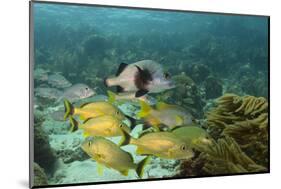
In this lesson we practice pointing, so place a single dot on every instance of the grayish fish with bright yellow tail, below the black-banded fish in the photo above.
(165, 114)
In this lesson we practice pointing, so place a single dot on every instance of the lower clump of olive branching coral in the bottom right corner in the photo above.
(225, 157)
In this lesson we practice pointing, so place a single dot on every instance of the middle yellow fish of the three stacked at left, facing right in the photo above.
(105, 126)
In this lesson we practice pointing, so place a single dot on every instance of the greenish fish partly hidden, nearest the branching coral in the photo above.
(192, 135)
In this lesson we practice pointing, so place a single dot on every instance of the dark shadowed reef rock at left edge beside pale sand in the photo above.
(43, 153)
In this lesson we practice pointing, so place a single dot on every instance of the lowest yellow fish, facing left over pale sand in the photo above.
(107, 153)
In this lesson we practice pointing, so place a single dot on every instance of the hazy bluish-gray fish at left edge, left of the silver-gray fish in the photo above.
(48, 93)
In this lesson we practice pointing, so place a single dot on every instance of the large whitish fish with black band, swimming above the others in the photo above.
(142, 77)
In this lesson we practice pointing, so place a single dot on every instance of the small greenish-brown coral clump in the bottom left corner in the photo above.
(40, 177)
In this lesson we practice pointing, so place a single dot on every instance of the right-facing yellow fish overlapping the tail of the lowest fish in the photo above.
(165, 145)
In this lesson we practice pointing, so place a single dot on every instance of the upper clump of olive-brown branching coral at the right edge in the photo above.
(246, 113)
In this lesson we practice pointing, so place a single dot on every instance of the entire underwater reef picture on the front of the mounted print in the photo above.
(129, 94)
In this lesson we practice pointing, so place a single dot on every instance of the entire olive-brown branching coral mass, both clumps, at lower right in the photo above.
(239, 126)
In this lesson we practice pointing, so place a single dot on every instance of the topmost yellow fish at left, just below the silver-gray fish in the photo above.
(93, 109)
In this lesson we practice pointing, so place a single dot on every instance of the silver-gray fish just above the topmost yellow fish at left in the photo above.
(77, 92)
